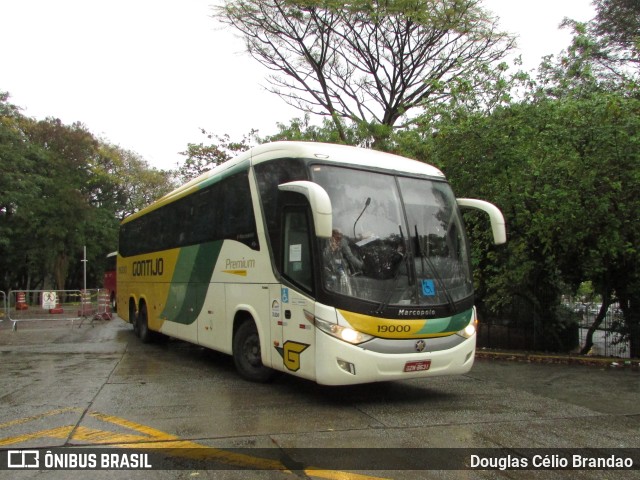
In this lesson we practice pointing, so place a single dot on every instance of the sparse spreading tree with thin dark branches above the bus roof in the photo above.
(369, 61)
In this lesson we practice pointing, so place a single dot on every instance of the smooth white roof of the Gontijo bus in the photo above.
(343, 154)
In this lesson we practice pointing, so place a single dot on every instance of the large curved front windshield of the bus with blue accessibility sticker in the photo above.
(396, 240)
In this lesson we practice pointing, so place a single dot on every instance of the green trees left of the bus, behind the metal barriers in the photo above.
(62, 188)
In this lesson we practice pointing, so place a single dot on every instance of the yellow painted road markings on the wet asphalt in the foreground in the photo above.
(152, 438)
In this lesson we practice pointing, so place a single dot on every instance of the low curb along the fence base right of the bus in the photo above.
(526, 357)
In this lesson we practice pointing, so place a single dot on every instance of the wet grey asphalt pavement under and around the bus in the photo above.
(65, 385)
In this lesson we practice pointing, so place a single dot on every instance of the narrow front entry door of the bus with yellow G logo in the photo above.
(297, 344)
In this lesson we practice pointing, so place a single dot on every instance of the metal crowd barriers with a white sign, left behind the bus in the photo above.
(48, 305)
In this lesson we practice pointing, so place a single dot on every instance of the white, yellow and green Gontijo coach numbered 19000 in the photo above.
(338, 264)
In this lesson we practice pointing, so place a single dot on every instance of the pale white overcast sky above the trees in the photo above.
(147, 75)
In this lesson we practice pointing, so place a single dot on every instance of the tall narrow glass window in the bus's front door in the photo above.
(297, 248)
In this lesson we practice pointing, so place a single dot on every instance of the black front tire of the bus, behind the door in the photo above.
(247, 355)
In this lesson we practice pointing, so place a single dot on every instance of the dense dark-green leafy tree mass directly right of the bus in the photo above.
(565, 174)
